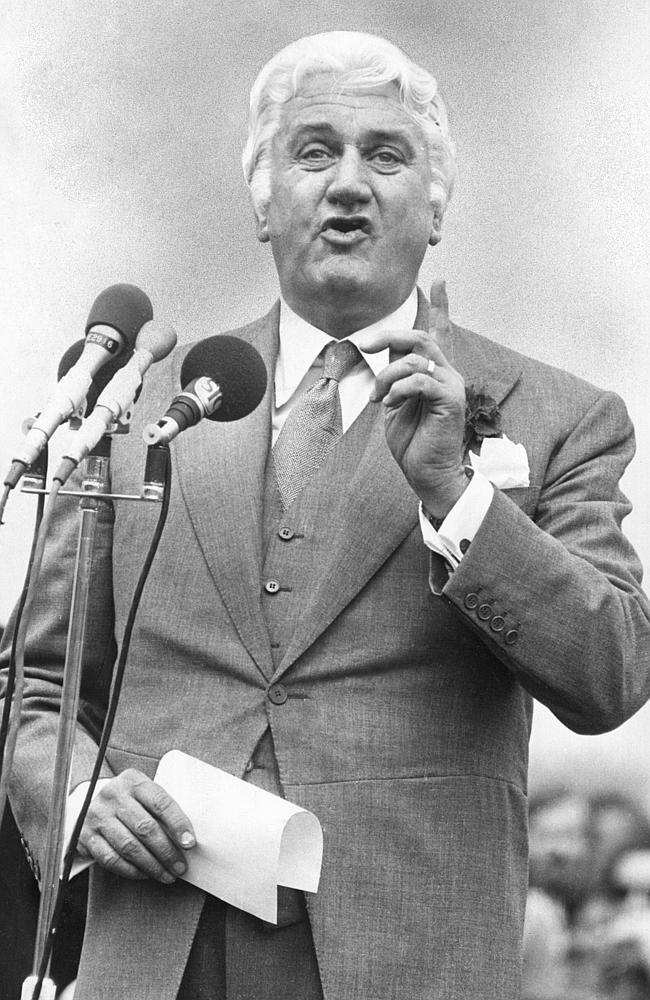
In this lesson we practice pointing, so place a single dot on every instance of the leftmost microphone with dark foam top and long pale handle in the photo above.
(115, 318)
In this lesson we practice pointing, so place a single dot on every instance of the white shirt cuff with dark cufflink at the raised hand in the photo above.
(456, 532)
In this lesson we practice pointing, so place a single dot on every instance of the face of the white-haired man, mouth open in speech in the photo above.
(350, 214)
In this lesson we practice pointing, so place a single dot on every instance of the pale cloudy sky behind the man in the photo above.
(121, 127)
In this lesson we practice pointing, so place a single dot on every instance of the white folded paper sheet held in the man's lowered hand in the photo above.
(248, 840)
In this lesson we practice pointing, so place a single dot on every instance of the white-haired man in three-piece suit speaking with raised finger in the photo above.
(361, 627)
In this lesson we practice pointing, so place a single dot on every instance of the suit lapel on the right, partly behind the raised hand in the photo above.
(378, 508)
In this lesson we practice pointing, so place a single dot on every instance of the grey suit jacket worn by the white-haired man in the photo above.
(408, 713)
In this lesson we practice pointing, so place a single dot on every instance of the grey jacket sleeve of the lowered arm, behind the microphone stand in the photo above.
(31, 779)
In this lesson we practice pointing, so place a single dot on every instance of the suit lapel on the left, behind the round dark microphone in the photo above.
(221, 475)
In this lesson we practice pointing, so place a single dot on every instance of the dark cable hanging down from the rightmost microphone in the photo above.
(111, 711)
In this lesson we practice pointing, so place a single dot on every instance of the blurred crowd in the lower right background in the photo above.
(587, 930)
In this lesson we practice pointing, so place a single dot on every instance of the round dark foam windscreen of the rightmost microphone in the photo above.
(236, 366)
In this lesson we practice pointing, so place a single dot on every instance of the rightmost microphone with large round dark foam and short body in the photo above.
(224, 379)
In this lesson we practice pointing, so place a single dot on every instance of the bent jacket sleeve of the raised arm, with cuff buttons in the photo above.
(559, 599)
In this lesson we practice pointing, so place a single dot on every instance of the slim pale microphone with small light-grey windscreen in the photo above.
(153, 343)
